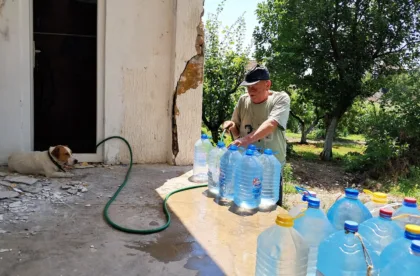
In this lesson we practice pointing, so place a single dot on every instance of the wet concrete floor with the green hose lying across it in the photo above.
(72, 238)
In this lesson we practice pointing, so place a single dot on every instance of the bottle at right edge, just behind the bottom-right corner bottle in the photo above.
(399, 246)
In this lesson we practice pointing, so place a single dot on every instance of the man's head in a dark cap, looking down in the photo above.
(258, 83)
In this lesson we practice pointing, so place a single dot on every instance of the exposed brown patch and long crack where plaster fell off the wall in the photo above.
(191, 77)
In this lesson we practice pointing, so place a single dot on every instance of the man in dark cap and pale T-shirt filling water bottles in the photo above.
(260, 117)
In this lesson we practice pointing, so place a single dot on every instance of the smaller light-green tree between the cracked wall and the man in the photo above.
(224, 69)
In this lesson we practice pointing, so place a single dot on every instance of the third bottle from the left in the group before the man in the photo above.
(228, 161)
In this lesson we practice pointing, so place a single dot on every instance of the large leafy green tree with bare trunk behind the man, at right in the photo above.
(336, 50)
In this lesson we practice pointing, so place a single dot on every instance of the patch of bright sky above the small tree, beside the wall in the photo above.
(232, 10)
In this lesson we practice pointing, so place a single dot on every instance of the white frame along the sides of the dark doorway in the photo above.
(100, 80)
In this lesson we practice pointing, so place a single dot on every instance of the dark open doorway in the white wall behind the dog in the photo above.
(65, 35)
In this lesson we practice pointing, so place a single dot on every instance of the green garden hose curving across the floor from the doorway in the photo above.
(165, 208)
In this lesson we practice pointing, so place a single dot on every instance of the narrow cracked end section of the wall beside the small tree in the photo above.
(187, 97)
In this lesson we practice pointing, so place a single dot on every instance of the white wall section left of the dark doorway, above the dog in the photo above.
(15, 78)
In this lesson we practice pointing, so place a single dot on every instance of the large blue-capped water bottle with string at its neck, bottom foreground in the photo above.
(344, 253)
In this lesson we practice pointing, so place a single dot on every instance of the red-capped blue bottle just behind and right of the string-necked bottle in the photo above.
(380, 231)
